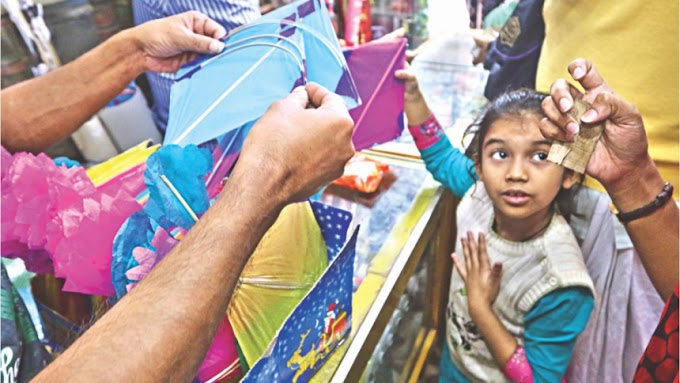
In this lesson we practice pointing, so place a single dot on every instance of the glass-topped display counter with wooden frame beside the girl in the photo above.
(399, 308)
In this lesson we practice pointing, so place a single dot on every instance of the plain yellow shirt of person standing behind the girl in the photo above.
(634, 46)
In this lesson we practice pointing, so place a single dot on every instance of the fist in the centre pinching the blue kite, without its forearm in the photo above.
(300, 144)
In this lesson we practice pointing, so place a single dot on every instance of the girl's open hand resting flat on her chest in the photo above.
(482, 282)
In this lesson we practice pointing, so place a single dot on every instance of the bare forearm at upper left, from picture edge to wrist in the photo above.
(45, 110)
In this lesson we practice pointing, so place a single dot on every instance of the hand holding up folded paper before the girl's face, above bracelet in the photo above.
(623, 146)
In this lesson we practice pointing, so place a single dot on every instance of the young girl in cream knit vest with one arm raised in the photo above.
(520, 293)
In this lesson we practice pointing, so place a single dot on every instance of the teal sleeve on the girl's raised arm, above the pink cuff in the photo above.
(449, 166)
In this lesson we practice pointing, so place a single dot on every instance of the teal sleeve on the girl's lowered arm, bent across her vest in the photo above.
(551, 328)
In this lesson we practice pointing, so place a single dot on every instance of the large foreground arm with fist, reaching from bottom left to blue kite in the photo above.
(161, 330)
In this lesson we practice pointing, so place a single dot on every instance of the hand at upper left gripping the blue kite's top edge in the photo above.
(171, 42)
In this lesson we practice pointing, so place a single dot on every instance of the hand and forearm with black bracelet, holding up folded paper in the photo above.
(621, 162)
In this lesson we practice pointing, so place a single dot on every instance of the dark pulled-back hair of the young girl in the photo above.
(515, 103)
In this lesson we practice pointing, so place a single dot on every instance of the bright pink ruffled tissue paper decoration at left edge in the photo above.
(55, 215)
